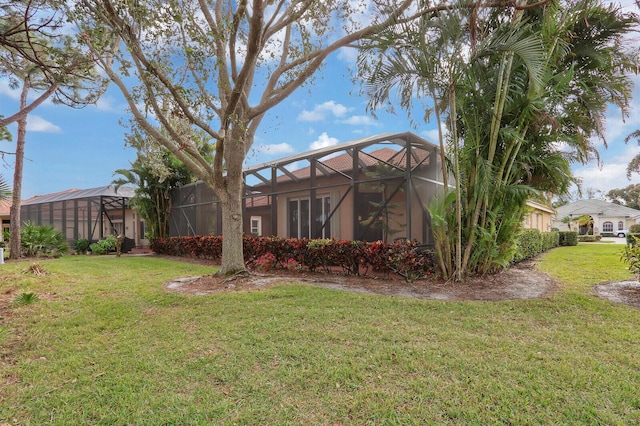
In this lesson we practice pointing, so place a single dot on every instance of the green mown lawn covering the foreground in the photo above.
(107, 345)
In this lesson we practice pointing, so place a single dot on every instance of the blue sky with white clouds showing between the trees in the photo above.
(69, 148)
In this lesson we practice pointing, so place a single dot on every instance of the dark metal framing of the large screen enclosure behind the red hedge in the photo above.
(262, 183)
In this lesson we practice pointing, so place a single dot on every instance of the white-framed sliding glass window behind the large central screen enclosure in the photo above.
(299, 219)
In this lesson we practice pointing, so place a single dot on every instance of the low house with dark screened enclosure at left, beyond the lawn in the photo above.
(88, 213)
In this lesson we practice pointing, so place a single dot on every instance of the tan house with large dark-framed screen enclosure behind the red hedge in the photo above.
(374, 188)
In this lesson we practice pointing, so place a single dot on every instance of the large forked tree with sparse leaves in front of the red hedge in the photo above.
(220, 66)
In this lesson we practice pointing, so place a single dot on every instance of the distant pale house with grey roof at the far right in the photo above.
(605, 217)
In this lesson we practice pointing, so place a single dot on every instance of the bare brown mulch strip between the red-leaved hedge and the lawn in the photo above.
(521, 281)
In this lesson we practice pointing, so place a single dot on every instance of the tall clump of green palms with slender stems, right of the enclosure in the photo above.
(523, 84)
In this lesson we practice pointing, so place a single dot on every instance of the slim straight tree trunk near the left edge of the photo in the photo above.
(15, 245)
